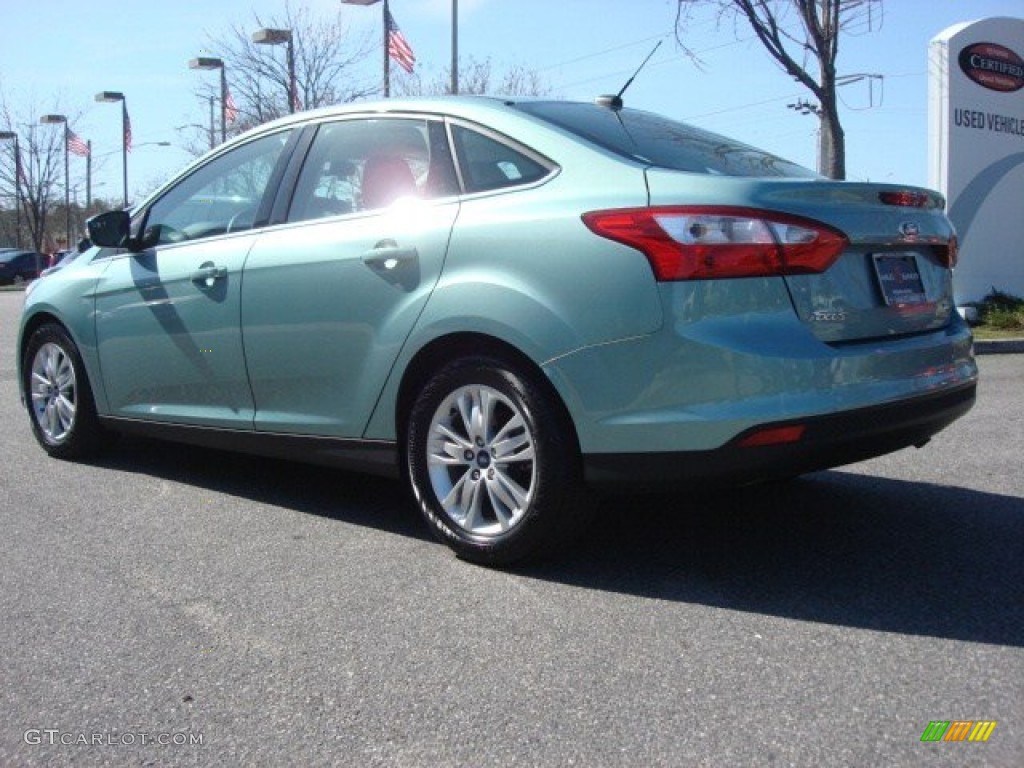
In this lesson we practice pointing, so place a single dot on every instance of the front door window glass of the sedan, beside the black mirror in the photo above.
(222, 197)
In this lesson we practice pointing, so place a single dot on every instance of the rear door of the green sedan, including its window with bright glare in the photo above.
(329, 298)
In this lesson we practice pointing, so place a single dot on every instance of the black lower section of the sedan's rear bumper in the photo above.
(827, 442)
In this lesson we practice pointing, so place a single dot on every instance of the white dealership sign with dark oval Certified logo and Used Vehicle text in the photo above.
(976, 155)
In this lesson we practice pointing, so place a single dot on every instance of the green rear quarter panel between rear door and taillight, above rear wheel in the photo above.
(523, 268)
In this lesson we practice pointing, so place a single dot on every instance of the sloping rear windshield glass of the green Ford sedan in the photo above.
(659, 142)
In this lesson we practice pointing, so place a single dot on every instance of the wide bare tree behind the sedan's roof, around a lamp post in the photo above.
(327, 61)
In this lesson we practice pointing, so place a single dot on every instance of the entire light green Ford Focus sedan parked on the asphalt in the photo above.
(507, 305)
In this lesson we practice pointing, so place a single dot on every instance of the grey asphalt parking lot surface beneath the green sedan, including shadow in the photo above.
(283, 615)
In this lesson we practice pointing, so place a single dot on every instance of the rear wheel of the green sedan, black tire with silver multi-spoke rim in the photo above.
(528, 423)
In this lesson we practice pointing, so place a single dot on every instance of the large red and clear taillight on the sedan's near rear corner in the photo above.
(707, 243)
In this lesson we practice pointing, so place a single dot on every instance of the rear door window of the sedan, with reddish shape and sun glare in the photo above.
(368, 164)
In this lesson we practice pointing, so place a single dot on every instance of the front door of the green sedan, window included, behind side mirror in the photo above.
(167, 318)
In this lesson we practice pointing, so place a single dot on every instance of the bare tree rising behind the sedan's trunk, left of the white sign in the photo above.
(800, 35)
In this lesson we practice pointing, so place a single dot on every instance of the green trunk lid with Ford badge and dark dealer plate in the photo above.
(892, 280)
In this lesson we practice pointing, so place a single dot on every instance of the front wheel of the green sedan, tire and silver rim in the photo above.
(62, 410)
